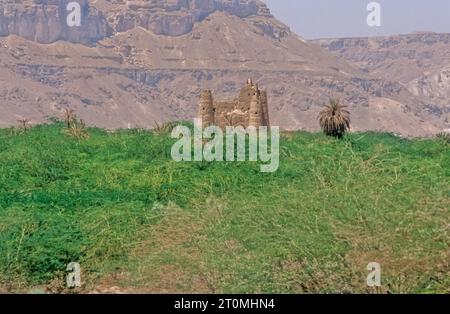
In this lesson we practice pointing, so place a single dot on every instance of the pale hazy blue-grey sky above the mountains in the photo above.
(348, 18)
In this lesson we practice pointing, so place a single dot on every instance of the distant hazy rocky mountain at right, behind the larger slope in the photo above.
(420, 62)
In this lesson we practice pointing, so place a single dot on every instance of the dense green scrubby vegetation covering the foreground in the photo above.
(137, 221)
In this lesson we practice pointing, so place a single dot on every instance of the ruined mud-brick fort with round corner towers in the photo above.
(249, 109)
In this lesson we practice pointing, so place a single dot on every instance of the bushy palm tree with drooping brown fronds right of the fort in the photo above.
(335, 119)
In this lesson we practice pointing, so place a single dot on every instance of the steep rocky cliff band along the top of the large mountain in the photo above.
(44, 21)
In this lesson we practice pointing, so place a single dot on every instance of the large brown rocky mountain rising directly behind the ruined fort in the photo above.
(137, 62)
